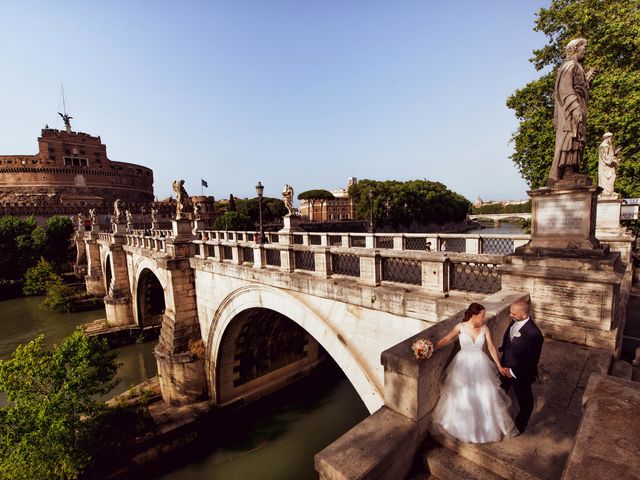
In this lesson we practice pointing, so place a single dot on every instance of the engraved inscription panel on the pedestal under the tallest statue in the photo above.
(560, 216)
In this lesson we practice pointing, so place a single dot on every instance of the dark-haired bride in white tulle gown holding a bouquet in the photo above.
(472, 407)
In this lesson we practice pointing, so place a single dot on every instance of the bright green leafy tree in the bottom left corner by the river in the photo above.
(52, 420)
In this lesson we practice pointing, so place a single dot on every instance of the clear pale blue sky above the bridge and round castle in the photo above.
(302, 92)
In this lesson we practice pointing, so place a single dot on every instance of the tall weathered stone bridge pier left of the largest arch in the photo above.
(180, 350)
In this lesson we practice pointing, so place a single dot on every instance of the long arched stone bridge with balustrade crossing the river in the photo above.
(239, 319)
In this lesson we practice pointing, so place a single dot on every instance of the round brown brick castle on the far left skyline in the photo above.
(70, 174)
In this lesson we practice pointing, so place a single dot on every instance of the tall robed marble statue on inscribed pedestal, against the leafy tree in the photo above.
(570, 95)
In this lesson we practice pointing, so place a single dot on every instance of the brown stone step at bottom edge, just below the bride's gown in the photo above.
(443, 464)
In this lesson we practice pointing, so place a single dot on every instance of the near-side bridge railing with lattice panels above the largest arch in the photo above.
(317, 254)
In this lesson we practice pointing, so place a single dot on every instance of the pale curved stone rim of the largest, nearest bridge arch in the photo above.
(249, 298)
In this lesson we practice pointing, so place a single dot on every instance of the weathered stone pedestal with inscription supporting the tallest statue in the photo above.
(573, 281)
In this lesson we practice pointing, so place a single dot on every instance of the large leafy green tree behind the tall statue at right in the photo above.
(613, 31)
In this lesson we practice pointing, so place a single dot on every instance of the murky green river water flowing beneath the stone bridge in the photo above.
(274, 439)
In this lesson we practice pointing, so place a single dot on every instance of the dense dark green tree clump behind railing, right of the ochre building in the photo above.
(398, 203)
